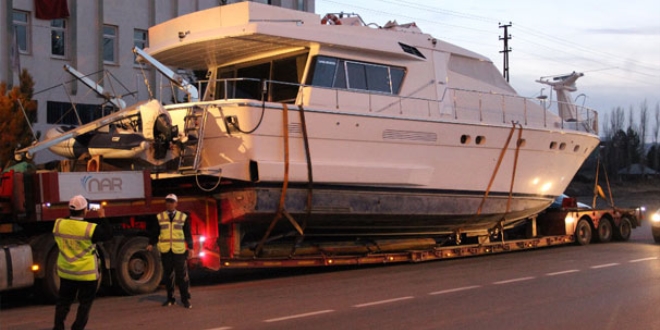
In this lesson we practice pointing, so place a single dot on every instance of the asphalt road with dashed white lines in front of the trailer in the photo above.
(600, 286)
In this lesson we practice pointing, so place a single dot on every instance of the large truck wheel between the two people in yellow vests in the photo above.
(138, 270)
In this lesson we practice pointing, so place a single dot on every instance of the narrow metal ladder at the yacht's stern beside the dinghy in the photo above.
(192, 142)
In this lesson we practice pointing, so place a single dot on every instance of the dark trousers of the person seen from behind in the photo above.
(86, 292)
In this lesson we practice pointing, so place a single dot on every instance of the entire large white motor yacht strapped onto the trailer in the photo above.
(359, 130)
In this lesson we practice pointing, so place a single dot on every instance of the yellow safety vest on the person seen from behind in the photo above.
(77, 258)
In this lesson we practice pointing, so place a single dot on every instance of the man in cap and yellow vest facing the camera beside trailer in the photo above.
(174, 240)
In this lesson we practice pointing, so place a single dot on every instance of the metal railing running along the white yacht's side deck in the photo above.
(455, 104)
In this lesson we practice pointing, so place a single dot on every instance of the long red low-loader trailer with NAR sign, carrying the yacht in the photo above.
(30, 203)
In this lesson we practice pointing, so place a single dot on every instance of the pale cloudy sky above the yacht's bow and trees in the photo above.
(616, 44)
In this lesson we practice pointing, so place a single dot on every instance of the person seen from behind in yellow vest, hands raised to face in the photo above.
(77, 264)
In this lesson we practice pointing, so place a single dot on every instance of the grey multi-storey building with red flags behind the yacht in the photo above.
(96, 38)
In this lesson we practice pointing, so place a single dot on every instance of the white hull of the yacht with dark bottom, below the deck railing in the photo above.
(393, 174)
